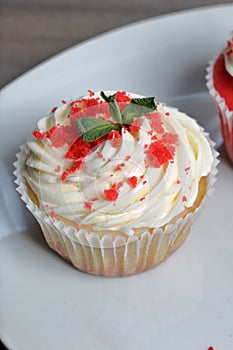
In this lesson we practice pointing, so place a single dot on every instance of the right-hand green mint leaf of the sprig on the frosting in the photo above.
(137, 108)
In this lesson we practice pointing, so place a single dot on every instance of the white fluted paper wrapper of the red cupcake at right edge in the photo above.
(225, 115)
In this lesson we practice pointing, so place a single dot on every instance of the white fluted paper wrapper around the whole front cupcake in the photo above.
(107, 256)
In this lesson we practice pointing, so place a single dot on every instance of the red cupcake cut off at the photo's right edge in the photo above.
(220, 84)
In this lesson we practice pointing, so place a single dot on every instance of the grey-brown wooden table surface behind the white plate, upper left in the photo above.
(34, 30)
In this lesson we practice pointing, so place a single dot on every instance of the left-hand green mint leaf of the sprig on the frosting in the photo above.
(92, 129)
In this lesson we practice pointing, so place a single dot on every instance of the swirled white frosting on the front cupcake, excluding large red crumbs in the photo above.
(161, 192)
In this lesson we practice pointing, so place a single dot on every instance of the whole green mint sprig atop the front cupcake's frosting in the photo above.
(92, 129)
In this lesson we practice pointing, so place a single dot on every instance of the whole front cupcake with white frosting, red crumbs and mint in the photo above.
(115, 180)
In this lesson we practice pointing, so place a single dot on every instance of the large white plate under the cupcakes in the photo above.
(186, 302)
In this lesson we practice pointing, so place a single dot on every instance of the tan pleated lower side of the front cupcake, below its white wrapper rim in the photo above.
(130, 258)
